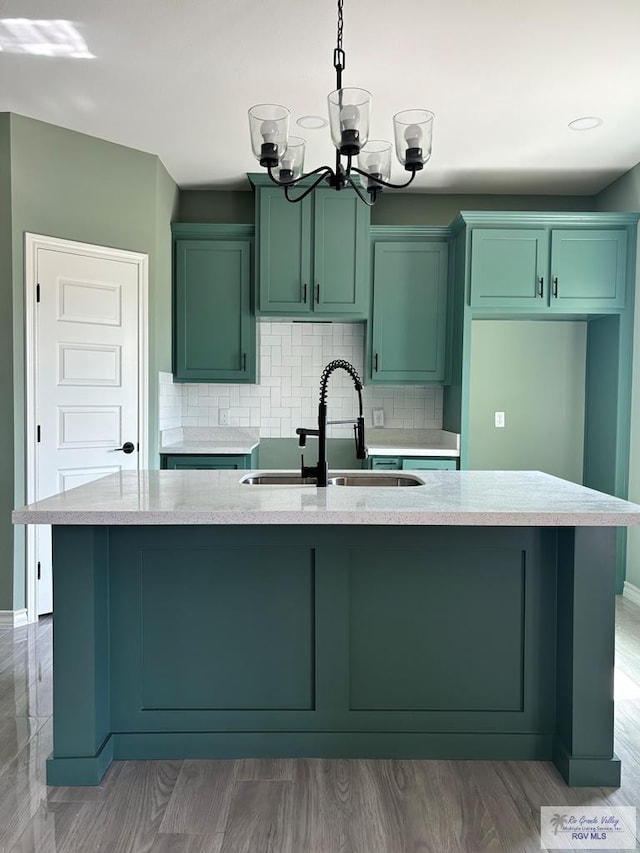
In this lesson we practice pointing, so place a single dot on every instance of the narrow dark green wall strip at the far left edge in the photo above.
(6, 371)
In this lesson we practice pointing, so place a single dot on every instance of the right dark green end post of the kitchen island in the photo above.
(583, 750)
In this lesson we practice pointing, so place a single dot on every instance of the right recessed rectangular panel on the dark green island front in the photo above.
(407, 653)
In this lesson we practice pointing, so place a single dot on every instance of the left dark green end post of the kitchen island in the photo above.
(81, 690)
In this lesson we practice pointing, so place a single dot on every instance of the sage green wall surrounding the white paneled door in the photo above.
(69, 185)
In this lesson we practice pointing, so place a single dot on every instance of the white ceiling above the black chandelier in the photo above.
(504, 78)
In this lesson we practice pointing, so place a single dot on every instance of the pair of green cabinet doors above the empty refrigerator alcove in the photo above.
(564, 270)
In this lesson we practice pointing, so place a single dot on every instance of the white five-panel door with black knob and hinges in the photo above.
(87, 378)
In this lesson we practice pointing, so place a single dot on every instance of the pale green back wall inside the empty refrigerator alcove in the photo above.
(534, 372)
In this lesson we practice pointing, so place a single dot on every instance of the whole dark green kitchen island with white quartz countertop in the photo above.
(468, 617)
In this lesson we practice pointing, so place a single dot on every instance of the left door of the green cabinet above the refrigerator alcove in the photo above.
(509, 268)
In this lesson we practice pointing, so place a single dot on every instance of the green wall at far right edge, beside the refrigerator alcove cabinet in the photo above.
(624, 195)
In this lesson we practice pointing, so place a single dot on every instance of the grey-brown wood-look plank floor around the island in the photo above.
(293, 806)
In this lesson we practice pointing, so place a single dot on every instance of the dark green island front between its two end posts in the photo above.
(462, 613)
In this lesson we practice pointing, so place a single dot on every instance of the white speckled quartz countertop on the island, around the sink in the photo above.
(509, 498)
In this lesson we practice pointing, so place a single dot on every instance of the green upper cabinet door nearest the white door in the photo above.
(214, 330)
